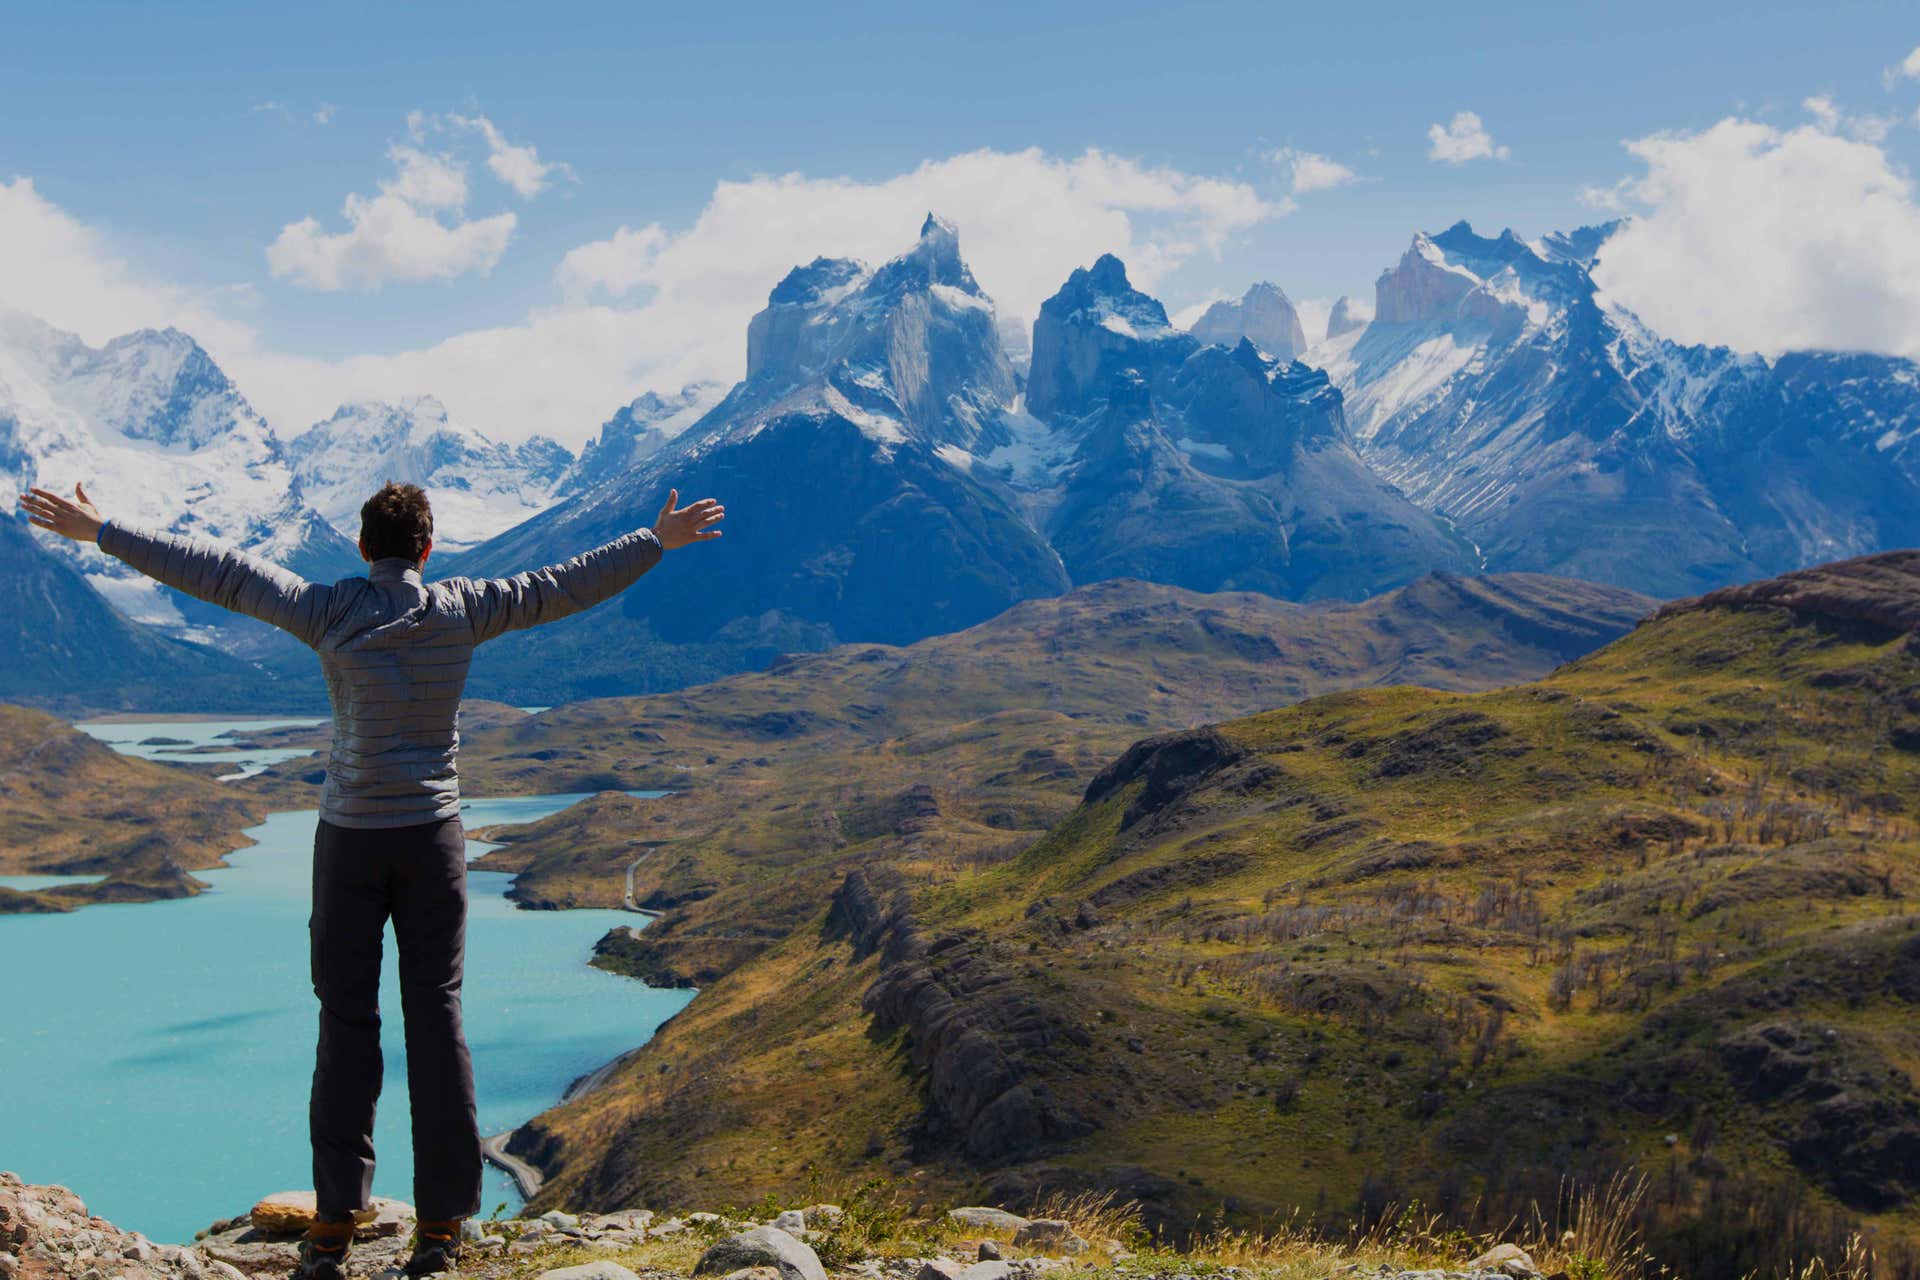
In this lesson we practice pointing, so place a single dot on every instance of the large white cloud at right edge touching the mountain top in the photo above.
(1769, 241)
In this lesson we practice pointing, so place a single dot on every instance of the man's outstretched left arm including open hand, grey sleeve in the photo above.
(206, 571)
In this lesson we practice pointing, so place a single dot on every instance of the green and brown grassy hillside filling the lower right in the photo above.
(1393, 943)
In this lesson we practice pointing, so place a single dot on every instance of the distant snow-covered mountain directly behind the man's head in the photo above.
(477, 486)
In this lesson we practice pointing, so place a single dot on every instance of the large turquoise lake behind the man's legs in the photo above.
(156, 1056)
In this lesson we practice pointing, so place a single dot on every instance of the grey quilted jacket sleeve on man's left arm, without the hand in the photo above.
(224, 577)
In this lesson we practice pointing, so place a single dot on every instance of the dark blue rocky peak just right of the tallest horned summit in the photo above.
(1211, 467)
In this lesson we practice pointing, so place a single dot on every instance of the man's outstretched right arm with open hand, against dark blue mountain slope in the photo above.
(500, 605)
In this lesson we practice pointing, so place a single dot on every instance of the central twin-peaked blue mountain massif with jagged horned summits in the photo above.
(896, 483)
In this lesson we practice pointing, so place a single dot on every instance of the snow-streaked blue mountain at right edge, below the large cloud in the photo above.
(1562, 435)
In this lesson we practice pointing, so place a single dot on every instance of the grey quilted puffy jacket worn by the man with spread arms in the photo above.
(395, 652)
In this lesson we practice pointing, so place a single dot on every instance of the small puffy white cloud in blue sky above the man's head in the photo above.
(396, 235)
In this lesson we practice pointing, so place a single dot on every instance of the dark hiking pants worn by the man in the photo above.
(416, 876)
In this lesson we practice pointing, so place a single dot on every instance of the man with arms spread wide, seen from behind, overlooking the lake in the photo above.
(395, 652)
